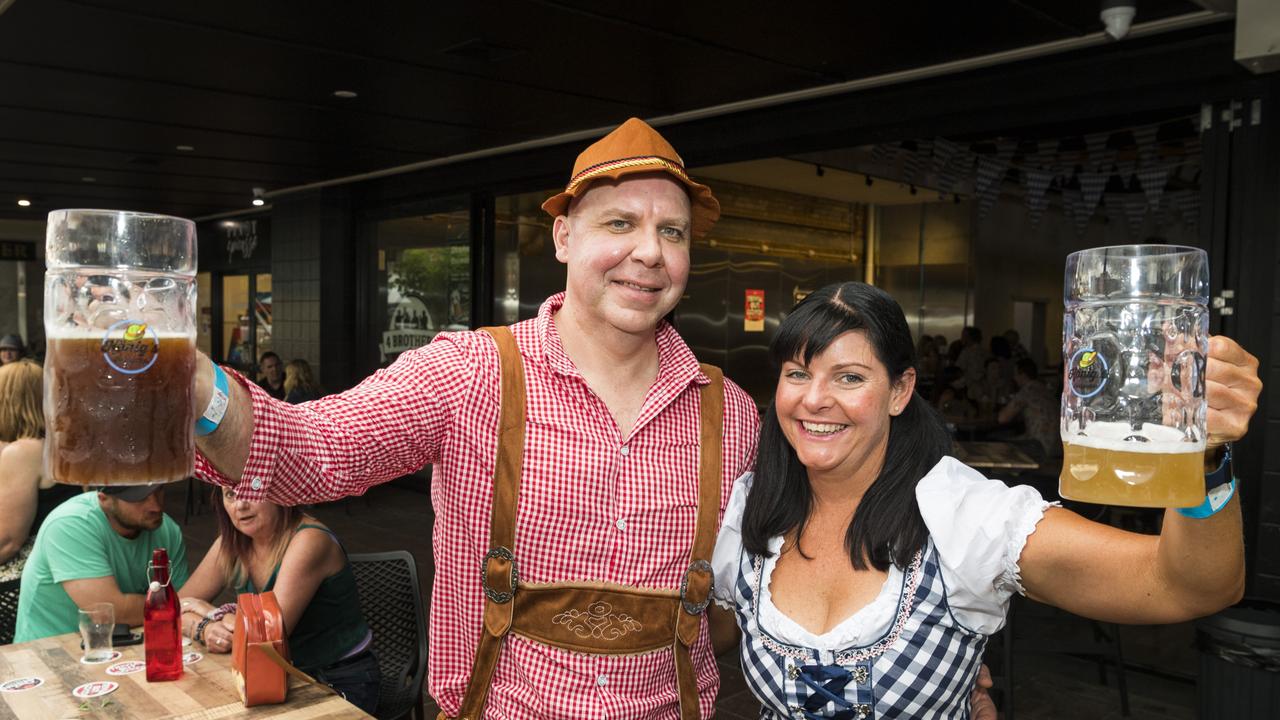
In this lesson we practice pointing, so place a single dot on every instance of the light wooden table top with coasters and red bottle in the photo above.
(205, 691)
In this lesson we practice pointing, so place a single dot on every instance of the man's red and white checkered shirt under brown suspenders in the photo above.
(593, 505)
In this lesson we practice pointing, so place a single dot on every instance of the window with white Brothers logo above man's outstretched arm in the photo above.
(424, 274)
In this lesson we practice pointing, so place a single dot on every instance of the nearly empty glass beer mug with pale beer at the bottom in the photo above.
(1135, 343)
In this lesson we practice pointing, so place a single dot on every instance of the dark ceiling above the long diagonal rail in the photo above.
(109, 89)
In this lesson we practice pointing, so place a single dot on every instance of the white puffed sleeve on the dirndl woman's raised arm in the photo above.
(980, 528)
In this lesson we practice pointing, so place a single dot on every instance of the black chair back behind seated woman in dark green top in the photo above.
(392, 604)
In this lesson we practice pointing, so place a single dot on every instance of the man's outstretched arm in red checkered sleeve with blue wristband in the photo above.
(388, 426)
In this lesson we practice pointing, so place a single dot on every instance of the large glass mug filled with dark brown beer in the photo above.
(120, 373)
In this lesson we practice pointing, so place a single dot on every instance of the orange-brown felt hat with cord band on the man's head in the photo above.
(636, 148)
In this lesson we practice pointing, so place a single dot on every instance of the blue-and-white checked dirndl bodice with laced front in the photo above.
(924, 667)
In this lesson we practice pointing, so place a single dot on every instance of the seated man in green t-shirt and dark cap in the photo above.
(95, 548)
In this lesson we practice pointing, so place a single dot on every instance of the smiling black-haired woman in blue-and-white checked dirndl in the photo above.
(866, 567)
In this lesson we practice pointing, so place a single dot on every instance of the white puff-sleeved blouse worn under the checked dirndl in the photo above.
(979, 527)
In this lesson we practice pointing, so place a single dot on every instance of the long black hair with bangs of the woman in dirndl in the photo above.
(888, 527)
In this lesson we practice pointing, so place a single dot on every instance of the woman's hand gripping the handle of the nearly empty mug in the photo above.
(1232, 389)
